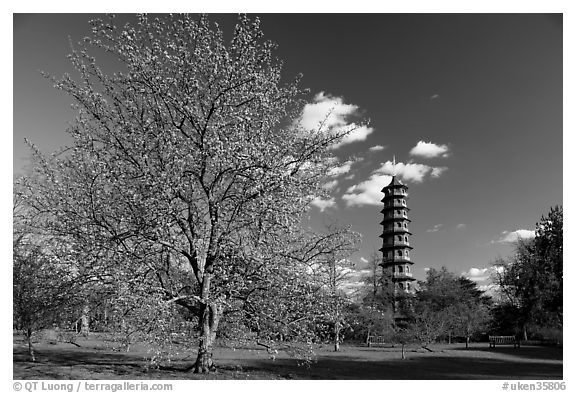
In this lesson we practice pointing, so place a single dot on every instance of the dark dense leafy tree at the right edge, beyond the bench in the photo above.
(531, 281)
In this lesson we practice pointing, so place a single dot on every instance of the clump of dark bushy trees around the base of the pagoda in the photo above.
(445, 306)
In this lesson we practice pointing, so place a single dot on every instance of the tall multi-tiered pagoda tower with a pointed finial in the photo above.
(396, 239)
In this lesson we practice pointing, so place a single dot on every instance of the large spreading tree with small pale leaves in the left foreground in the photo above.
(193, 148)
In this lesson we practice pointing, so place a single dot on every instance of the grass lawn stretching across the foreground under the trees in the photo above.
(94, 361)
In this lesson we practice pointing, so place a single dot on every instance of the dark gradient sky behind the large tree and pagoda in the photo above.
(486, 87)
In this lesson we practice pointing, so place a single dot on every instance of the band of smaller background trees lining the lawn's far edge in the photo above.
(314, 308)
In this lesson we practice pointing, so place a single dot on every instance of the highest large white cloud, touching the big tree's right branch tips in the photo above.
(330, 114)
